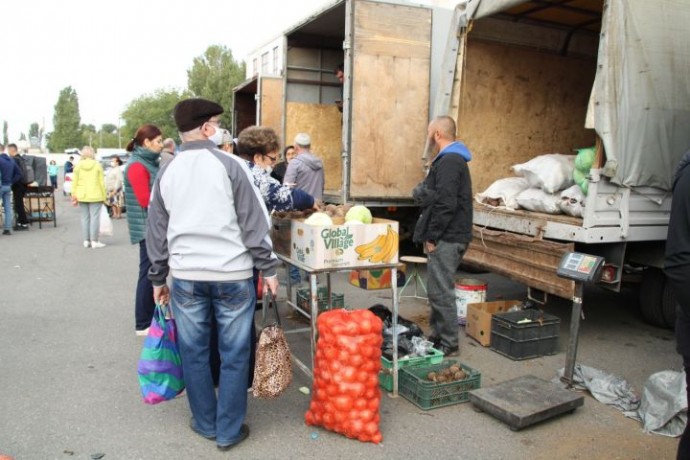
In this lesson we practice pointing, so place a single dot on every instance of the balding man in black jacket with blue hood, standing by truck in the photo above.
(444, 227)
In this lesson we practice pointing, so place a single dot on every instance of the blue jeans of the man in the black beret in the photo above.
(232, 303)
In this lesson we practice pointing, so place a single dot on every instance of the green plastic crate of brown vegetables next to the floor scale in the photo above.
(429, 395)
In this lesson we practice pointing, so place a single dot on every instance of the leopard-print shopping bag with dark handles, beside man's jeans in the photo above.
(273, 368)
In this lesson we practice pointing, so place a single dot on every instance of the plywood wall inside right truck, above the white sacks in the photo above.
(518, 103)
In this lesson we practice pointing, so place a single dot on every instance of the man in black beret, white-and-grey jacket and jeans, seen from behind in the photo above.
(208, 228)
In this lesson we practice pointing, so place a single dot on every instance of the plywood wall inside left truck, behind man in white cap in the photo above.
(323, 123)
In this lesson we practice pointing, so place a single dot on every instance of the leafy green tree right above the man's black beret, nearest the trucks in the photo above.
(214, 75)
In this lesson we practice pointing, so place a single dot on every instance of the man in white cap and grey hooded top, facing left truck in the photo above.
(306, 169)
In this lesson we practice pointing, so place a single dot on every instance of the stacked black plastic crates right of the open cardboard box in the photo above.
(516, 340)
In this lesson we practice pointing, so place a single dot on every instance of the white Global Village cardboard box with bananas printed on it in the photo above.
(345, 246)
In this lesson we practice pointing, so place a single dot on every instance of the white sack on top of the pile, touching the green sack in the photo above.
(551, 172)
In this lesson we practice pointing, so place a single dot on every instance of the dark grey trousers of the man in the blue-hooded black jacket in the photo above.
(443, 263)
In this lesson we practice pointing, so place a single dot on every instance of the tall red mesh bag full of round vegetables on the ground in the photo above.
(346, 395)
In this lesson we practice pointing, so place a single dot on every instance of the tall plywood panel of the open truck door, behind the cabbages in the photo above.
(390, 98)
